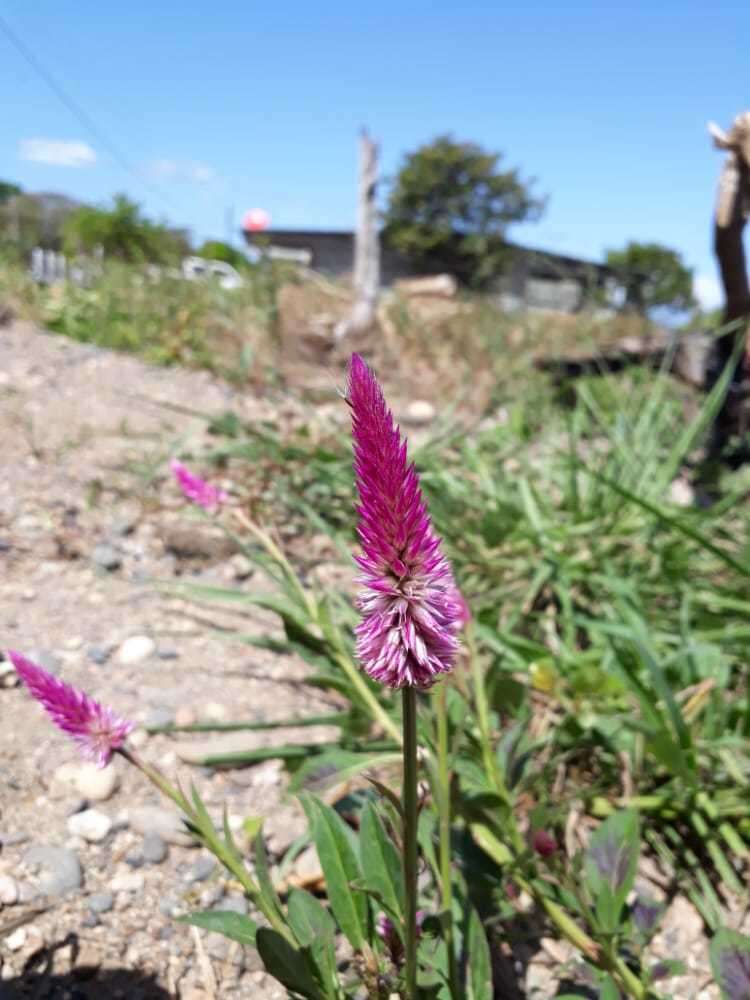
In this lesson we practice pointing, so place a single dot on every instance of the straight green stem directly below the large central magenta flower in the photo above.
(410, 840)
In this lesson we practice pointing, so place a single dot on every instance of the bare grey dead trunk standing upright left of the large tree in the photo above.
(366, 277)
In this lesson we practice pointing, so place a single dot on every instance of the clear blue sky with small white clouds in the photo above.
(242, 104)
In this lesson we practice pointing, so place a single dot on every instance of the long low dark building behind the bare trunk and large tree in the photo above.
(532, 279)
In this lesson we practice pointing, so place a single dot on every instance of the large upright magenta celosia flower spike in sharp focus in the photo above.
(411, 607)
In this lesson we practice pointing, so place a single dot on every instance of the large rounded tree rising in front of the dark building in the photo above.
(450, 205)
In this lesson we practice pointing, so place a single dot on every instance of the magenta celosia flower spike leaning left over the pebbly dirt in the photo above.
(96, 729)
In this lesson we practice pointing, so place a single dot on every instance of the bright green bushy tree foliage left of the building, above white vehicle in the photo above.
(123, 232)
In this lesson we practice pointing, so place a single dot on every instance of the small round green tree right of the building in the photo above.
(654, 277)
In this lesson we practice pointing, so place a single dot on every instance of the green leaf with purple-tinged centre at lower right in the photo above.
(611, 861)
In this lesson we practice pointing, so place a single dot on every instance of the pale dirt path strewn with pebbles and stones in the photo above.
(78, 545)
